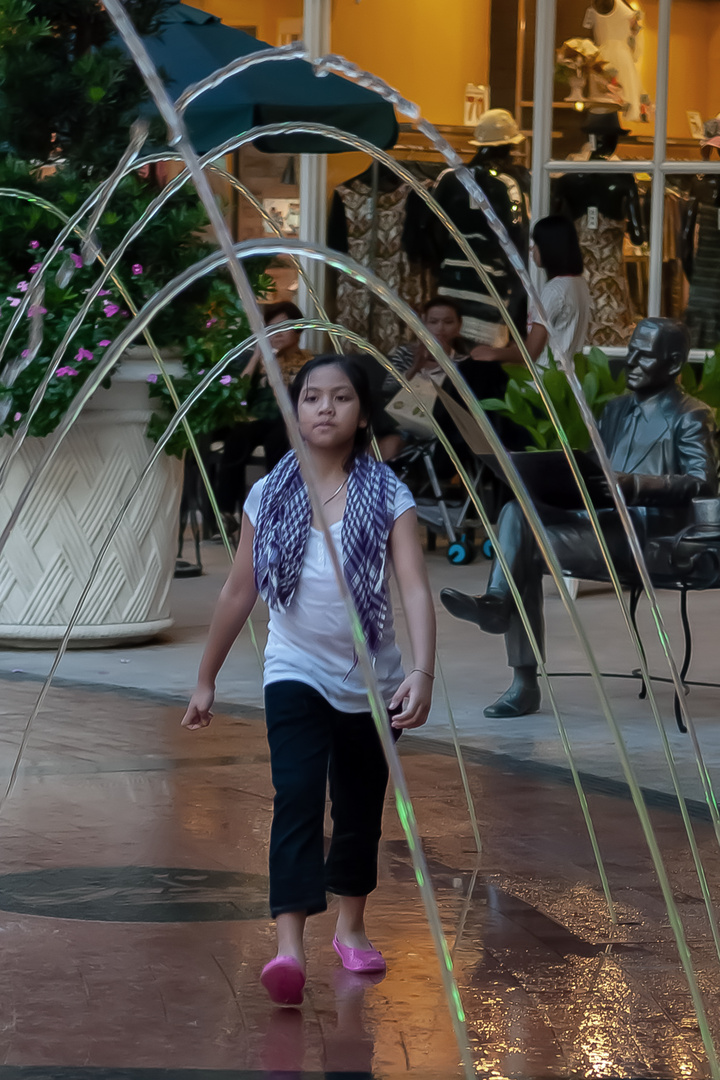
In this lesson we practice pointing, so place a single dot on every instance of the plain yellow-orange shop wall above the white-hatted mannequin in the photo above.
(428, 50)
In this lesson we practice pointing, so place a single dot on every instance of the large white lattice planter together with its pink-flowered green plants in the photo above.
(67, 99)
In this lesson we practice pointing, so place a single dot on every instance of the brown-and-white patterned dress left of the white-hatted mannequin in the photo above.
(376, 240)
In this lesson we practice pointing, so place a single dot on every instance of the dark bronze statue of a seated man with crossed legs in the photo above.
(662, 445)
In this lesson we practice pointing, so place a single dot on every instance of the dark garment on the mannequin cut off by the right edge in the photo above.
(703, 315)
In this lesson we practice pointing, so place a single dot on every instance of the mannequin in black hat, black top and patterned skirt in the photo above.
(604, 208)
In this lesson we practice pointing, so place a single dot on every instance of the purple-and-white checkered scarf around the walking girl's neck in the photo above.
(283, 526)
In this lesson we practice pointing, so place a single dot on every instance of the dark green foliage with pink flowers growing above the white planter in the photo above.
(69, 96)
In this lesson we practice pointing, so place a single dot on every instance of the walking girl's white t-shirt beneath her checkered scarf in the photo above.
(311, 641)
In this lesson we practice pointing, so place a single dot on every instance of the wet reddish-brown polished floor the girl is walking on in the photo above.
(133, 919)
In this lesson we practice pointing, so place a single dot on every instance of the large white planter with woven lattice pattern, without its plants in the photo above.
(50, 553)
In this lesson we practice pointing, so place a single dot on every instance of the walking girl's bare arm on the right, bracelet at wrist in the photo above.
(416, 692)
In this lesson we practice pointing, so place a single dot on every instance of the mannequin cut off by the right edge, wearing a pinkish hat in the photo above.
(701, 251)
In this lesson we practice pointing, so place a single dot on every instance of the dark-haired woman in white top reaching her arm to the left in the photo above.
(565, 298)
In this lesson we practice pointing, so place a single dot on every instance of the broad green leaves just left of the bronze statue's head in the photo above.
(524, 406)
